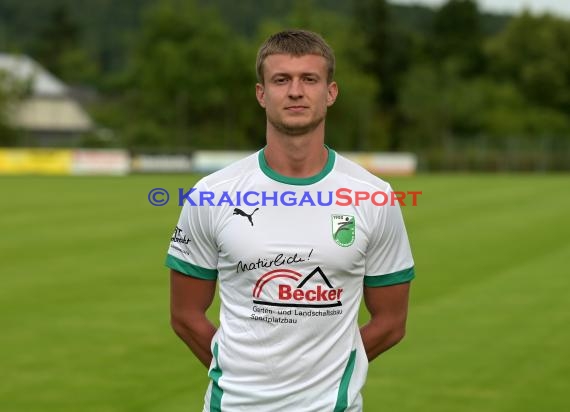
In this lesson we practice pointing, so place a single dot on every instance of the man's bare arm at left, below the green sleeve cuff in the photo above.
(190, 298)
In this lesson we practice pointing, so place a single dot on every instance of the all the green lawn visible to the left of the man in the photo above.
(86, 316)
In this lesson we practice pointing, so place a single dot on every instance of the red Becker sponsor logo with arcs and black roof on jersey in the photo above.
(284, 295)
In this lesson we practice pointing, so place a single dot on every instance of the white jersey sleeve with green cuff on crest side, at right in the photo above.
(389, 258)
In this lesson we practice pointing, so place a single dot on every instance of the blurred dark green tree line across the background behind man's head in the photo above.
(179, 74)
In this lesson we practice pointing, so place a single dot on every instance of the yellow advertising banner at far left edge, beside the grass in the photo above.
(35, 161)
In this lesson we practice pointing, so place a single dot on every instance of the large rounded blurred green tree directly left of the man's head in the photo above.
(187, 79)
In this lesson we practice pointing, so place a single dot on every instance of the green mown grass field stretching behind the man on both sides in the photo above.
(84, 298)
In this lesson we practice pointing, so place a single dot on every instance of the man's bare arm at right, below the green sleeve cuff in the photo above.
(388, 307)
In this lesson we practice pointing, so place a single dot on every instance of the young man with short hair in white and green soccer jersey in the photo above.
(292, 264)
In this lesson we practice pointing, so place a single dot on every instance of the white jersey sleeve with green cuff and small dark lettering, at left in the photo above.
(193, 250)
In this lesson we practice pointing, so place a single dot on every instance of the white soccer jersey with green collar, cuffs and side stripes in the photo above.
(291, 265)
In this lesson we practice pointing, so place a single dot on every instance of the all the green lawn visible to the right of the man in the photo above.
(486, 329)
